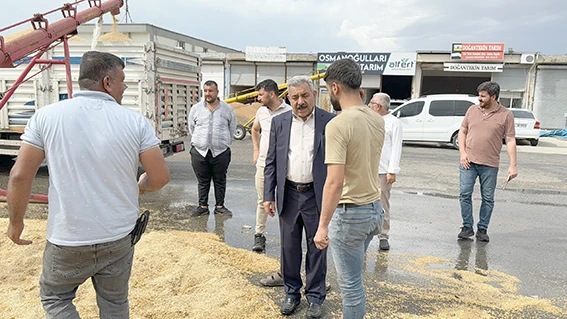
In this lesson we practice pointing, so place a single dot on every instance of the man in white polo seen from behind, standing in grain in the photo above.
(93, 146)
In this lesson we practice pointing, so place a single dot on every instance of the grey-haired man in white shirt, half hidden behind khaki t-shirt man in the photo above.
(389, 160)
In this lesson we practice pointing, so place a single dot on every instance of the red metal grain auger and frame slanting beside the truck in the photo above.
(45, 36)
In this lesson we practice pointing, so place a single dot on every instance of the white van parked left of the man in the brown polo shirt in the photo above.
(434, 118)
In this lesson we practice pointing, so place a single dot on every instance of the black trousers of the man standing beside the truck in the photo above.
(209, 167)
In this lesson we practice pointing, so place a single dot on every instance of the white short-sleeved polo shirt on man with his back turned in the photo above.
(92, 146)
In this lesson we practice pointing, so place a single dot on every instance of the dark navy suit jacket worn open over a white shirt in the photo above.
(275, 171)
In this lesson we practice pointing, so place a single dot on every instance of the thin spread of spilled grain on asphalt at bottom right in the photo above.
(450, 293)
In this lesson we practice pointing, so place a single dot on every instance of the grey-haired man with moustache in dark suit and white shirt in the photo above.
(296, 171)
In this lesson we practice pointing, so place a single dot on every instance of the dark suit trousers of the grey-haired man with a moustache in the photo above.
(299, 212)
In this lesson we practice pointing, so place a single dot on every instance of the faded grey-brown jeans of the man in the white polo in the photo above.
(65, 268)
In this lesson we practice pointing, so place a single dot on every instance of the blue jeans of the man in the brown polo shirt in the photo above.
(487, 176)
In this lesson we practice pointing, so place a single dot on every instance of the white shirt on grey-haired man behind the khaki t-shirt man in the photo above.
(392, 149)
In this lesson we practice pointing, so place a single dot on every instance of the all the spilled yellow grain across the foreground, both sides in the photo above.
(194, 275)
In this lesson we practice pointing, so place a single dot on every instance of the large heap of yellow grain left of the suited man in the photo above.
(175, 275)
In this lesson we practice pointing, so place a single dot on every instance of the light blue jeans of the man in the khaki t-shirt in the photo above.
(350, 231)
